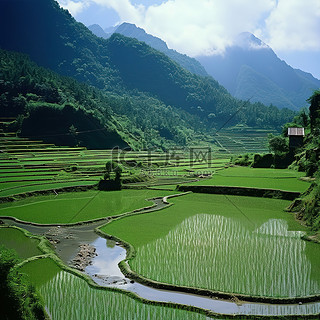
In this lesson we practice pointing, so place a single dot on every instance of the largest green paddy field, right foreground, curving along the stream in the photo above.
(224, 243)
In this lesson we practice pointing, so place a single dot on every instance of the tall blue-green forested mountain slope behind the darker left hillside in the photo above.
(151, 93)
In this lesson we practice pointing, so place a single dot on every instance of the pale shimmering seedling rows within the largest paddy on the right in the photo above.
(211, 251)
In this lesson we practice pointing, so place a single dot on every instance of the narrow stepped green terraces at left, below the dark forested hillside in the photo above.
(27, 165)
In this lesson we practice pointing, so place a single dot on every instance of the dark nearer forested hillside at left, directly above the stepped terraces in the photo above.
(64, 111)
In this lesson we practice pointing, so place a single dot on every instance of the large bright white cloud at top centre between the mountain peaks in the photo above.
(194, 27)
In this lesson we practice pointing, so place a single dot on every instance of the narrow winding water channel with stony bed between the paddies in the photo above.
(104, 271)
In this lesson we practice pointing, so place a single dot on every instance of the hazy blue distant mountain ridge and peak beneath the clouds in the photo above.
(249, 69)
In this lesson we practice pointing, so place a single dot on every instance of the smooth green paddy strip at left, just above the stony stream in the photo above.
(80, 206)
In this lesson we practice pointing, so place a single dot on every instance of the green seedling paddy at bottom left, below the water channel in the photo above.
(68, 297)
